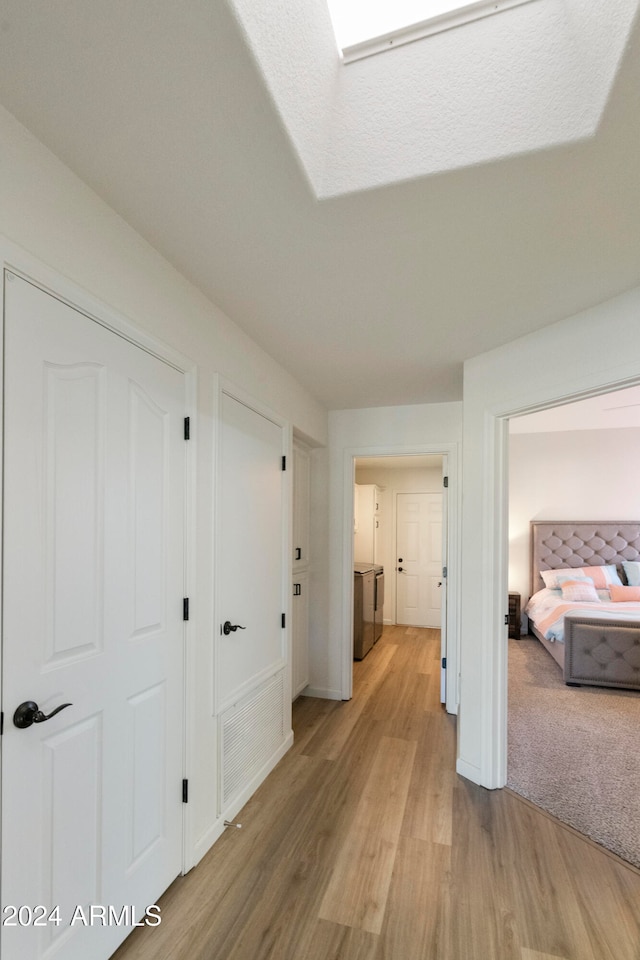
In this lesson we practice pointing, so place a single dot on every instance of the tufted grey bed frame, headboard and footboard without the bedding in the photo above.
(604, 653)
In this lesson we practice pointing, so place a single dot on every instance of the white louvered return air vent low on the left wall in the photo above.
(252, 731)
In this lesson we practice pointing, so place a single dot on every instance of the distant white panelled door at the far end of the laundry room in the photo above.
(419, 559)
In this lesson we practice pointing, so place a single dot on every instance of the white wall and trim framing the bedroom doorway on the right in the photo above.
(594, 351)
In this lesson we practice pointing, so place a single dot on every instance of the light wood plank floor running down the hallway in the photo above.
(364, 844)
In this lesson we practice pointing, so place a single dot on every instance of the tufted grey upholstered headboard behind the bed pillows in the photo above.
(581, 543)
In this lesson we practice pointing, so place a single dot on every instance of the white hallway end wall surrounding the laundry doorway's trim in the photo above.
(421, 428)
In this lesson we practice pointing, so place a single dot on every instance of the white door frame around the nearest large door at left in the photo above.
(22, 264)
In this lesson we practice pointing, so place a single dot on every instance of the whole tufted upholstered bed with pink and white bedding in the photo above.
(595, 642)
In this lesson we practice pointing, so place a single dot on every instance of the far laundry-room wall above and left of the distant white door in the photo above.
(392, 481)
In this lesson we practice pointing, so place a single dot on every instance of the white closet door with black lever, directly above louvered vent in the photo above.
(250, 550)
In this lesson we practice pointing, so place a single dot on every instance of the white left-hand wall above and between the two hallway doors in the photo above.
(50, 213)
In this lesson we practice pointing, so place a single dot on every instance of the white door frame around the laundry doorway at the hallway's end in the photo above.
(453, 506)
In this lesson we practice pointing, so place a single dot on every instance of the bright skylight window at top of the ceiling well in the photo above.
(367, 27)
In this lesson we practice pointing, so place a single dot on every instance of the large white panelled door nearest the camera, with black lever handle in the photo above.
(93, 587)
